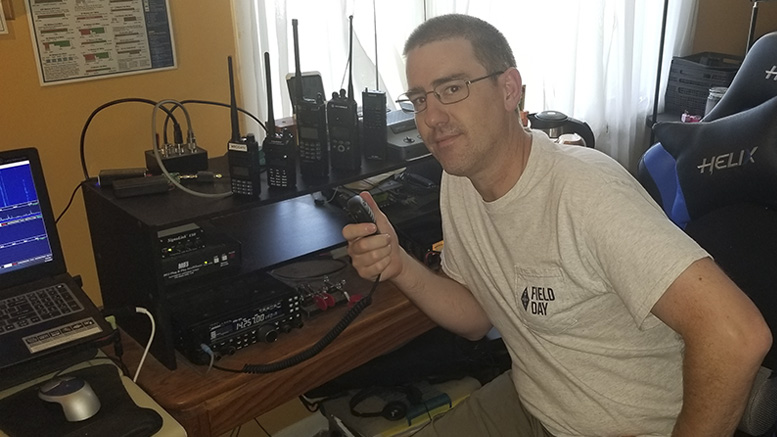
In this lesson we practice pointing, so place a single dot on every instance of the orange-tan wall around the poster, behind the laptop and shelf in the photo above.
(51, 118)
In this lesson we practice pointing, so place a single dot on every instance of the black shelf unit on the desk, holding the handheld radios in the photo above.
(278, 227)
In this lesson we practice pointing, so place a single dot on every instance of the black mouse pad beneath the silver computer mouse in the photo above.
(24, 414)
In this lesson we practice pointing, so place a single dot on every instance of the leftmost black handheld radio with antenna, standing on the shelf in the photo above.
(242, 152)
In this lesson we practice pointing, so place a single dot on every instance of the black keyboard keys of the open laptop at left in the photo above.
(36, 307)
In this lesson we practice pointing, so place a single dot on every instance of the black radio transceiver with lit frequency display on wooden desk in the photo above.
(250, 312)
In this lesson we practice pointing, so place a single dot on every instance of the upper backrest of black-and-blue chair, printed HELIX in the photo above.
(731, 156)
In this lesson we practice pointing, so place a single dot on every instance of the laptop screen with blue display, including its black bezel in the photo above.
(29, 243)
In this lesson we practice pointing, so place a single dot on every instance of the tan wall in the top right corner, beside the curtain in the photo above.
(723, 25)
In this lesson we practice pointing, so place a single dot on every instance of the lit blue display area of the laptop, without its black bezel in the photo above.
(23, 237)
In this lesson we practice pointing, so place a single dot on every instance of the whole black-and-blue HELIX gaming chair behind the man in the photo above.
(717, 180)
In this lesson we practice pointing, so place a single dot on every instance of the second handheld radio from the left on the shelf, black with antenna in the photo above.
(278, 146)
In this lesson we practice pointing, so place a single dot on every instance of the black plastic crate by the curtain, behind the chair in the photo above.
(691, 77)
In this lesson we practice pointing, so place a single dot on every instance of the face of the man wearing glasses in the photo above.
(459, 135)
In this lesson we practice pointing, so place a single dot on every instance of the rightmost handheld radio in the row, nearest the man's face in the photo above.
(374, 133)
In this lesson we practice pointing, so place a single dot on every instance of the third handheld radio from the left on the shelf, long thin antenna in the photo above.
(312, 141)
